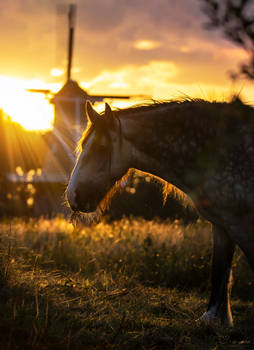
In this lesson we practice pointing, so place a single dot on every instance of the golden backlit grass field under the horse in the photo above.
(131, 284)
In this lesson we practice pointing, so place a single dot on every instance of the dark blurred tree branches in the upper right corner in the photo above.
(236, 19)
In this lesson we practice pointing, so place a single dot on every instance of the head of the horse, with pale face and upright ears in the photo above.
(101, 162)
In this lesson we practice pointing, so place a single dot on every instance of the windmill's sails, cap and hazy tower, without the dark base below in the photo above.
(70, 119)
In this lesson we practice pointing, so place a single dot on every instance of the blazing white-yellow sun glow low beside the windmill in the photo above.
(33, 111)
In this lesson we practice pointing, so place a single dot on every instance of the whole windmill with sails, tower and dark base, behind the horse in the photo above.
(70, 121)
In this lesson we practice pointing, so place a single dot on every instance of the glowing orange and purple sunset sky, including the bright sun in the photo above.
(154, 47)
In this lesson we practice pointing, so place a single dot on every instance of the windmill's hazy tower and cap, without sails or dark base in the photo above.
(70, 122)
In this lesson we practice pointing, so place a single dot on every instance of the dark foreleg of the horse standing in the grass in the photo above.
(219, 306)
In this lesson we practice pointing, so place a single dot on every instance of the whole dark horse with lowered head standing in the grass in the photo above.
(204, 149)
